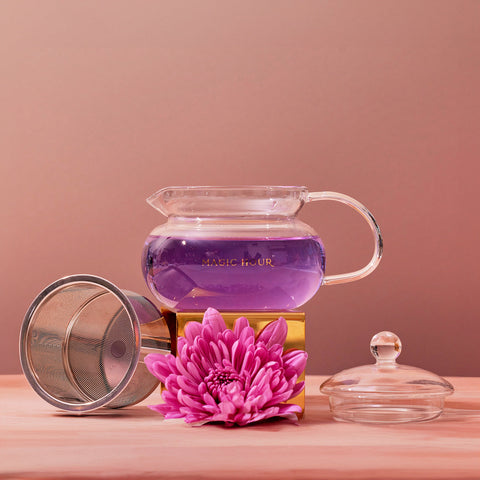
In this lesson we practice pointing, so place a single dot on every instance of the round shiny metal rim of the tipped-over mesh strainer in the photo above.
(25, 361)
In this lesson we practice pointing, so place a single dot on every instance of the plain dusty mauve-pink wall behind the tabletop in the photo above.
(103, 103)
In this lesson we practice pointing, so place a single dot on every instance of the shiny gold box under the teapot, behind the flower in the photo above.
(258, 321)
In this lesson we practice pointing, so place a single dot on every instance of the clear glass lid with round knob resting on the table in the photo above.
(386, 392)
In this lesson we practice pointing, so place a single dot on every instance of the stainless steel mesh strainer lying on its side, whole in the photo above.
(83, 341)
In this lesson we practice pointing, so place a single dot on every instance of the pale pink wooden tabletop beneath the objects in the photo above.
(38, 442)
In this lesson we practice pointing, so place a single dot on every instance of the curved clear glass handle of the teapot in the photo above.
(362, 210)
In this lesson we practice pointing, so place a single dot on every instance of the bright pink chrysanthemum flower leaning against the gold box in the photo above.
(220, 375)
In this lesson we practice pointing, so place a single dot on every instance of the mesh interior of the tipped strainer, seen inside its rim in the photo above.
(81, 343)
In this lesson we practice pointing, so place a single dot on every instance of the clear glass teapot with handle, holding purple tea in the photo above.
(241, 248)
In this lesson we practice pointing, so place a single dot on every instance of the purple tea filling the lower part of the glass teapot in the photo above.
(233, 274)
